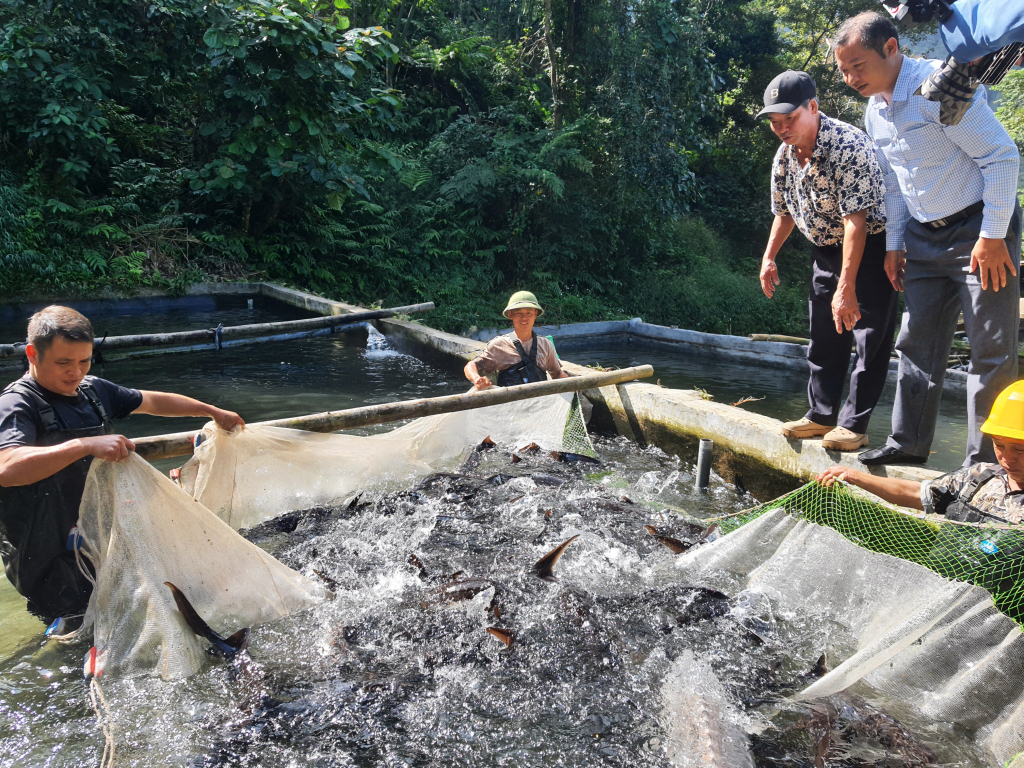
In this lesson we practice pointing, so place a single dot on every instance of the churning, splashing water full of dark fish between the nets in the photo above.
(399, 672)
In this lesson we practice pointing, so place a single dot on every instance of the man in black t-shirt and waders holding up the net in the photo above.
(54, 421)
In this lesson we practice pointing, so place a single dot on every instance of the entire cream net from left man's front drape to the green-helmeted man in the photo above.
(141, 530)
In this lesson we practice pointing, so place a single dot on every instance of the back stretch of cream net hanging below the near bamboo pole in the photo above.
(258, 474)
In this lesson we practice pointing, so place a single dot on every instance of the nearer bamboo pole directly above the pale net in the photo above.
(169, 446)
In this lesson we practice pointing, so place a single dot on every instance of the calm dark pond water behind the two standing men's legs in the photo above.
(784, 393)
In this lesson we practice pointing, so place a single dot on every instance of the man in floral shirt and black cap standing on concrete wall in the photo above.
(827, 181)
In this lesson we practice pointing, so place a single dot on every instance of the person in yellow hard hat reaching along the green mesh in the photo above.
(982, 492)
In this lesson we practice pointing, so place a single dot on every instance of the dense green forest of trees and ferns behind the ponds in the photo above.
(601, 153)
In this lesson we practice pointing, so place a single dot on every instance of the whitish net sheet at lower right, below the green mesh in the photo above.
(938, 646)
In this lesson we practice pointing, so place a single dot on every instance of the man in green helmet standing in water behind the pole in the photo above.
(522, 357)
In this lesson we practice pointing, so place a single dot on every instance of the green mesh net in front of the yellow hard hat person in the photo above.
(990, 557)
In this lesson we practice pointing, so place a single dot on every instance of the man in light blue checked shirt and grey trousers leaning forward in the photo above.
(954, 236)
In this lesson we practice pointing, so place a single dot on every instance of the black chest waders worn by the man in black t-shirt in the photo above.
(36, 520)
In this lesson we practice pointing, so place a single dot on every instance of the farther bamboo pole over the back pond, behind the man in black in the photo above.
(236, 332)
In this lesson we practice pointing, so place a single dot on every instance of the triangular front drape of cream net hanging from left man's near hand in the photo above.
(140, 531)
